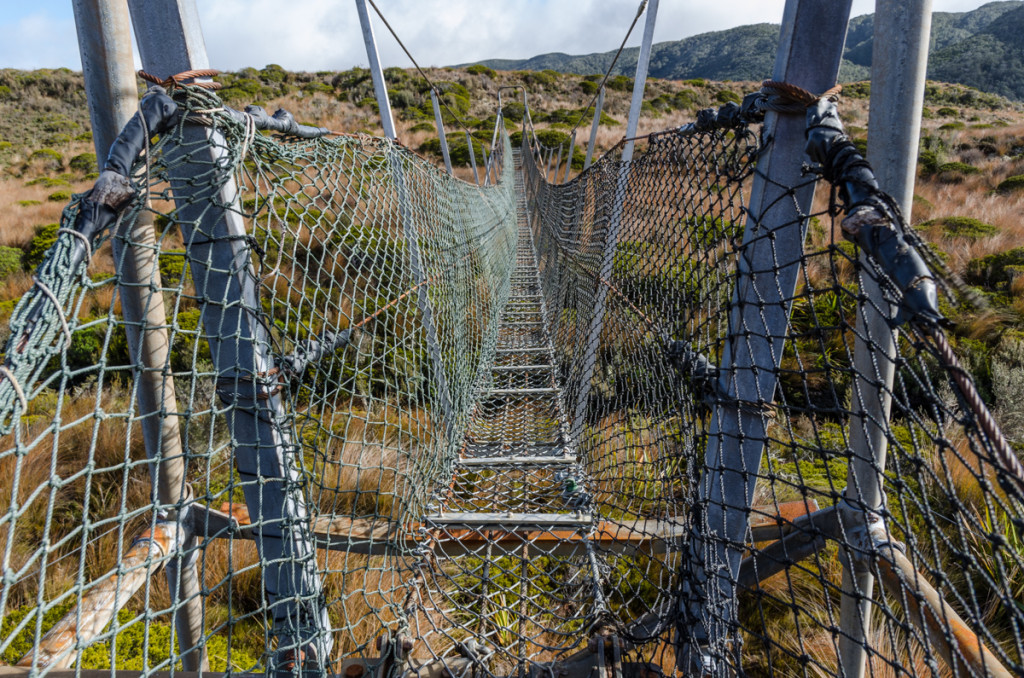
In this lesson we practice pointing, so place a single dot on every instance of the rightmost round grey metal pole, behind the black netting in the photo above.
(903, 30)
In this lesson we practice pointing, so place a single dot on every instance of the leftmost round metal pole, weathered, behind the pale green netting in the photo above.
(105, 43)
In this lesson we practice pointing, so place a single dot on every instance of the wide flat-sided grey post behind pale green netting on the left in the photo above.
(170, 41)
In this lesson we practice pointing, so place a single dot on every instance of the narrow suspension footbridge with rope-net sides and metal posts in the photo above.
(672, 416)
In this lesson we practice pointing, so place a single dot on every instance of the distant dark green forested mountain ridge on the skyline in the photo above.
(983, 49)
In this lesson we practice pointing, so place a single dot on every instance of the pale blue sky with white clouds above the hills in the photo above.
(324, 35)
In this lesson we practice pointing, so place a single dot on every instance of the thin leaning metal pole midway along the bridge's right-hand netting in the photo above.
(615, 224)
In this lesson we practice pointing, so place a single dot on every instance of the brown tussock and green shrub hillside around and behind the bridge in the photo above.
(968, 203)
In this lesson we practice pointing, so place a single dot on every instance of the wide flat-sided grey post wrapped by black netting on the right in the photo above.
(810, 52)
